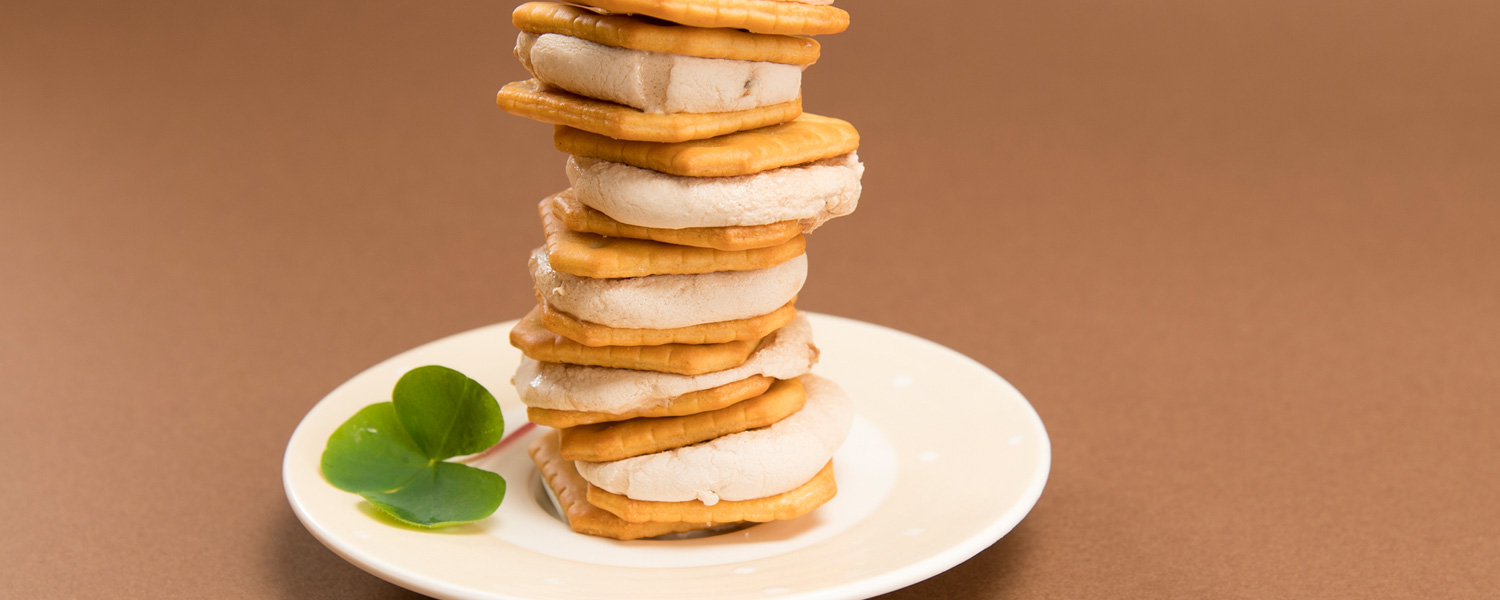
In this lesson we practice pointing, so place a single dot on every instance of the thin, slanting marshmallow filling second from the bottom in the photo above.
(575, 388)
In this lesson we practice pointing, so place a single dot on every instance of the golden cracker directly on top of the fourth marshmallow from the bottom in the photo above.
(796, 142)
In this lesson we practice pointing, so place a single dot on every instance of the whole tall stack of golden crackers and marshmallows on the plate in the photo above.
(667, 352)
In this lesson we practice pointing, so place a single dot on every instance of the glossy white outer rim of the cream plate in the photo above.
(896, 580)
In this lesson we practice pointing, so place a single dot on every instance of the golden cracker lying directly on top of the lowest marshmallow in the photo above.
(623, 440)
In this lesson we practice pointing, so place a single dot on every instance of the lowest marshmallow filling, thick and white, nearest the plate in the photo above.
(754, 464)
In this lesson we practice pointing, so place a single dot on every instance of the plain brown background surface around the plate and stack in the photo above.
(1241, 256)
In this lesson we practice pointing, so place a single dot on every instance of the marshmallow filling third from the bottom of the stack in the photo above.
(670, 301)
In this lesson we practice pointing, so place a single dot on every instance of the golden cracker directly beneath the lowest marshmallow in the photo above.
(779, 508)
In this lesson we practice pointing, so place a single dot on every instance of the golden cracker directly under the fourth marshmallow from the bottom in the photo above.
(578, 217)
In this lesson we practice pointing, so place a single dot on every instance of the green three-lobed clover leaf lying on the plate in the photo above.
(392, 454)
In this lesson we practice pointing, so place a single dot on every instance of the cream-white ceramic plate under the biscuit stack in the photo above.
(944, 460)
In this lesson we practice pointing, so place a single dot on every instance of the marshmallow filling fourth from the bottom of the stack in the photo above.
(811, 194)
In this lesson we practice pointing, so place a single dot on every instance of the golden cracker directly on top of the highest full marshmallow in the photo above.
(656, 37)
